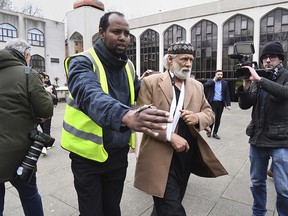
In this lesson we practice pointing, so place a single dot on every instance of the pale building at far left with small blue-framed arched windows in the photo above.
(47, 39)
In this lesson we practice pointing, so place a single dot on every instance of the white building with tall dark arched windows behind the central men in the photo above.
(212, 28)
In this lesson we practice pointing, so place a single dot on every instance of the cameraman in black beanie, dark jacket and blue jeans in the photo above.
(268, 129)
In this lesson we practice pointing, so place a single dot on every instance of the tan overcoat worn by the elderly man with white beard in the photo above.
(154, 155)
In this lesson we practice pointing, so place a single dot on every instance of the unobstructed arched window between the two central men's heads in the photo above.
(149, 51)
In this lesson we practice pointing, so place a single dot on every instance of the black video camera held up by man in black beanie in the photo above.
(243, 51)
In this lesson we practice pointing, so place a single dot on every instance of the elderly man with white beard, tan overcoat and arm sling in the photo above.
(165, 163)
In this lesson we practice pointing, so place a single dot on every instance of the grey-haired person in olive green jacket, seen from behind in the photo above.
(16, 120)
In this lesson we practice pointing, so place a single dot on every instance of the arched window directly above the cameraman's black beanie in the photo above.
(274, 27)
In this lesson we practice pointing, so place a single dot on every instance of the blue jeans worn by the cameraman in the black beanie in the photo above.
(259, 158)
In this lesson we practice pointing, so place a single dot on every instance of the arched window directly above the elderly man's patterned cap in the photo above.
(173, 34)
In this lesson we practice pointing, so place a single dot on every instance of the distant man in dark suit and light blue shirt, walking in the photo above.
(218, 96)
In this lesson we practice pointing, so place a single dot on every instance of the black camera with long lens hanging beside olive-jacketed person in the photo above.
(28, 166)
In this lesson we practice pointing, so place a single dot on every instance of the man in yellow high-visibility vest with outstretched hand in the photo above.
(99, 119)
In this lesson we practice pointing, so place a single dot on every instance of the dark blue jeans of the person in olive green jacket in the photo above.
(29, 196)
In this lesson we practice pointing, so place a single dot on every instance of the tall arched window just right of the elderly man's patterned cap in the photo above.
(204, 40)
